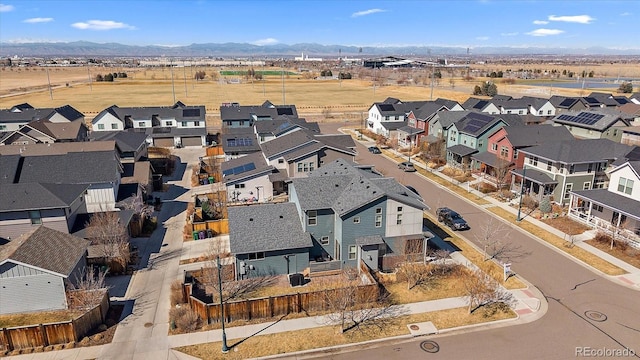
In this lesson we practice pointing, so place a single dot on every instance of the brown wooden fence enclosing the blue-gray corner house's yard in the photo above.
(272, 306)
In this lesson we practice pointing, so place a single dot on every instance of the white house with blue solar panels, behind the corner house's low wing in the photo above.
(247, 178)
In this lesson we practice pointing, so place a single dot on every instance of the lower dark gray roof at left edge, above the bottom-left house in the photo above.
(37, 196)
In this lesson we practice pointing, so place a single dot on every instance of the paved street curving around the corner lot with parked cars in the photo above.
(571, 289)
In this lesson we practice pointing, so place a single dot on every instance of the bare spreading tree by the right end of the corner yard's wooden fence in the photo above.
(356, 309)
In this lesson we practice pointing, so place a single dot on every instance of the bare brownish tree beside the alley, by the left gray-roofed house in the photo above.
(106, 232)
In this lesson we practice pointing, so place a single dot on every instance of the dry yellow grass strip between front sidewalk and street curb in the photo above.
(325, 336)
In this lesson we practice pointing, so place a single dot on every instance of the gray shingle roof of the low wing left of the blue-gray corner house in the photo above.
(266, 227)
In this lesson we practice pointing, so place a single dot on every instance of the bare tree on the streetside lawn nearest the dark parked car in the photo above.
(494, 236)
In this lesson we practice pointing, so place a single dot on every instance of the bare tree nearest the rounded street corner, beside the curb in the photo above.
(482, 290)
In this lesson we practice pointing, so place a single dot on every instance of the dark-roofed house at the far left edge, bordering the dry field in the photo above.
(19, 115)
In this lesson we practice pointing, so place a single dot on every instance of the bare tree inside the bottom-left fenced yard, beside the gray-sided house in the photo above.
(87, 290)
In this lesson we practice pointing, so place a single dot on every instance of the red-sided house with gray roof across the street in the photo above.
(503, 148)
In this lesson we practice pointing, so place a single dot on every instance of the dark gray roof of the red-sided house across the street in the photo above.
(529, 135)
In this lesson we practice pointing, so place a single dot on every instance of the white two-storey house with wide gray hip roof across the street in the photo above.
(557, 168)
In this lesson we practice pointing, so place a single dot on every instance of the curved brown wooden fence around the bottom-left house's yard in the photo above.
(32, 336)
